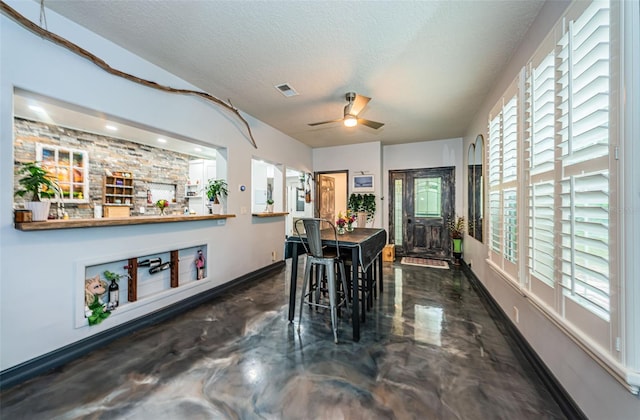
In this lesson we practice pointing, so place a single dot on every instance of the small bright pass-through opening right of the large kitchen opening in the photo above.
(266, 185)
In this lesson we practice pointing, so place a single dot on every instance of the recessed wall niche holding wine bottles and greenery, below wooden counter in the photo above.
(142, 280)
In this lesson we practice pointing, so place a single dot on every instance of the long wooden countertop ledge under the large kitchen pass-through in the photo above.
(115, 221)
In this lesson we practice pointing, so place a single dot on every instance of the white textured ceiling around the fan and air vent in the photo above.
(427, 64)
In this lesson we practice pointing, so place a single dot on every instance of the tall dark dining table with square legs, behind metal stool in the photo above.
(365, 247)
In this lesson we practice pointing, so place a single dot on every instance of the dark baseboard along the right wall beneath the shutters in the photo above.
(557, 391)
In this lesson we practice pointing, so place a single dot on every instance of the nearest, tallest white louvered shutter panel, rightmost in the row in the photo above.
(584, 145)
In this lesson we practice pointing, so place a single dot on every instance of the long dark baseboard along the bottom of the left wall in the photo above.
(39, 365)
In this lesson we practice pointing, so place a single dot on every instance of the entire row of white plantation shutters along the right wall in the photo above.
(573, 116)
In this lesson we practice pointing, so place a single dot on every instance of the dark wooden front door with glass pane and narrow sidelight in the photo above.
(422, 201)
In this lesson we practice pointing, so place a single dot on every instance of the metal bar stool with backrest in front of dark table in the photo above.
(316, 257)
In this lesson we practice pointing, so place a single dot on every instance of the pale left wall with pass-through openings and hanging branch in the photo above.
(41, 272)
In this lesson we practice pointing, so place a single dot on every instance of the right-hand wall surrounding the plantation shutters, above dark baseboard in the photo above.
(597, 393)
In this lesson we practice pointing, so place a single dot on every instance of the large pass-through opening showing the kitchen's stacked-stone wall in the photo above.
(109, 145)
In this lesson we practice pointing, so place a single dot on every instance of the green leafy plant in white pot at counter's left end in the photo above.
(39, 183)
